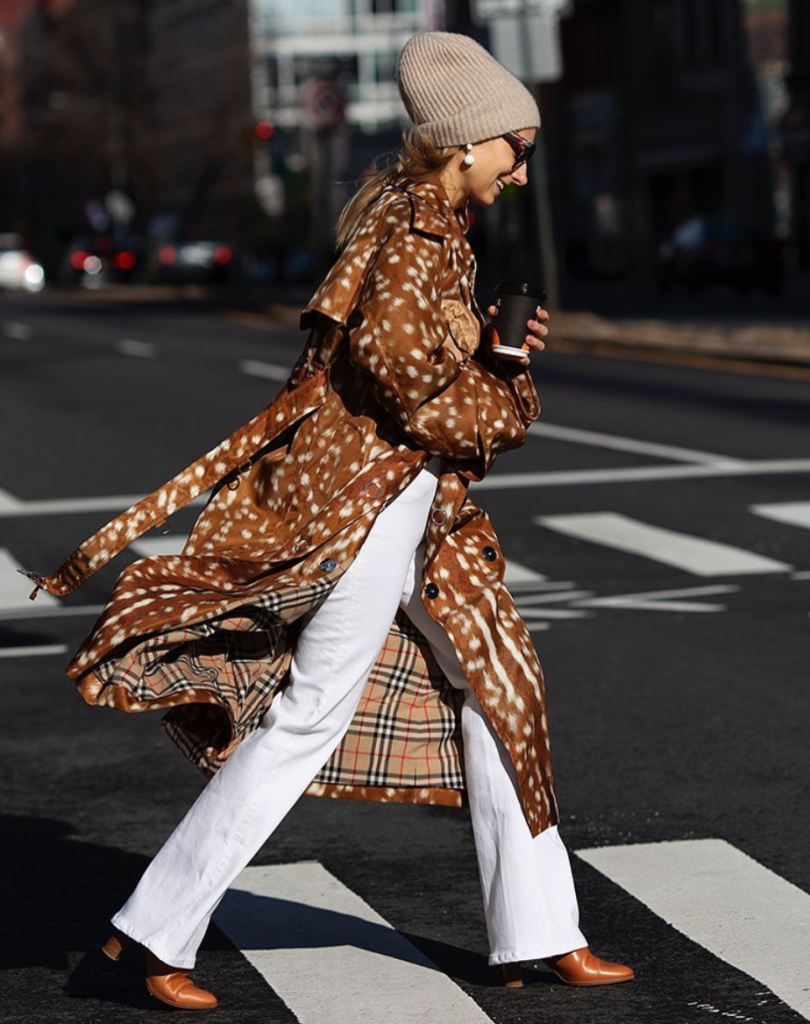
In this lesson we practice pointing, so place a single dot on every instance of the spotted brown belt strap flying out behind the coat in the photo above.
(233, 454)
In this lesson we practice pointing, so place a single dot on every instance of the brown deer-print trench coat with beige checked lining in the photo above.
(392, 373)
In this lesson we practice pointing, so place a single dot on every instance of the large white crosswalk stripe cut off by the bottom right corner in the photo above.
(727, 902)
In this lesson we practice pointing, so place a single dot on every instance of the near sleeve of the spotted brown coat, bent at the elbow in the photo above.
(449, 406)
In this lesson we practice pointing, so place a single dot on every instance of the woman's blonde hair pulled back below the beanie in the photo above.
(418, 160)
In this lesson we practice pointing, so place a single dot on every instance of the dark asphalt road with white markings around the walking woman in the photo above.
(658, 529)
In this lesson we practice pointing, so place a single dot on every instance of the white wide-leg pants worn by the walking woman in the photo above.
(530, 901)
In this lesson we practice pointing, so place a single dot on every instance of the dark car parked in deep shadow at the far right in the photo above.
(708, 251)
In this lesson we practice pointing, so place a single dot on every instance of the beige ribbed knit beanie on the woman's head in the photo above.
(459, 93)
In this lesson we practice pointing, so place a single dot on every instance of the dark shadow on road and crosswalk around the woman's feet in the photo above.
(61, 893)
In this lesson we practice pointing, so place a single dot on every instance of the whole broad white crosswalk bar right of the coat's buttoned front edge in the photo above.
(692, 554)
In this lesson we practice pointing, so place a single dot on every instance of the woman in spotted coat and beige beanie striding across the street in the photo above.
(342, 578)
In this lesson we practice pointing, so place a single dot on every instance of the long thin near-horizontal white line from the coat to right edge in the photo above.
(641, 475)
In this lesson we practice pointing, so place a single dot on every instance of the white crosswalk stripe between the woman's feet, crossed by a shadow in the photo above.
(330, 957)
